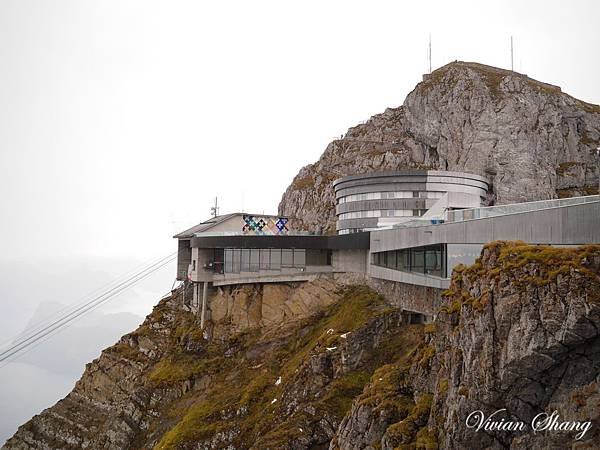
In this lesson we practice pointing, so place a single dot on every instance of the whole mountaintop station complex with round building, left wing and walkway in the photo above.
(406, 229)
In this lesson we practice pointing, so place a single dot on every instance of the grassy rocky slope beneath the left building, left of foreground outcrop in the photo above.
(277, 367)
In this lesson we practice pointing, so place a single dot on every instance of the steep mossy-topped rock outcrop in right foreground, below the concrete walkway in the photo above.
(518, 333)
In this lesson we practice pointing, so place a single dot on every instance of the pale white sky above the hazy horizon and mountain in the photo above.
(121, 120)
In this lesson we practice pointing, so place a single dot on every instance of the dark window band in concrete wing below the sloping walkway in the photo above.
(429, 260)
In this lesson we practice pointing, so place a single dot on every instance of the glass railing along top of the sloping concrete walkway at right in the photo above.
(501, 210)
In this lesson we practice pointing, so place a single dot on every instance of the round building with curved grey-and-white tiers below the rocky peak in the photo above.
(371, 201)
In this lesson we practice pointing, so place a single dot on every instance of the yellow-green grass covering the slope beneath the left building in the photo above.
(245, 400)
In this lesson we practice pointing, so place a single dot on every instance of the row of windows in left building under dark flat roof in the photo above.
(255, 259)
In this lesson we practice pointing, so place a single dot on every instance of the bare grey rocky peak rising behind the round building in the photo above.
(530, 139)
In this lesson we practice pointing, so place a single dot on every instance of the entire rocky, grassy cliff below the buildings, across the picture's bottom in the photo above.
(319, 365)
